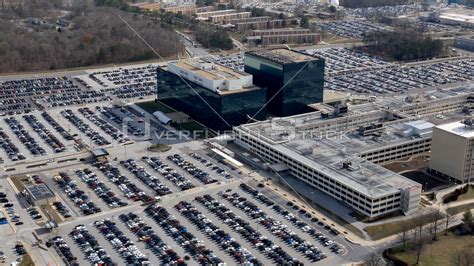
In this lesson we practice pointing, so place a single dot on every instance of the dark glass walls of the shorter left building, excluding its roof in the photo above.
(207, 106)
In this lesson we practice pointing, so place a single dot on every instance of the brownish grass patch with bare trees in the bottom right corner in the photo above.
(438, 252)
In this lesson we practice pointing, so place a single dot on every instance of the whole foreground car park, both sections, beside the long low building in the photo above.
(177, 207)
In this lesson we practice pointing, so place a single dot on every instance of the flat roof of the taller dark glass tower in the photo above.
(283, 56)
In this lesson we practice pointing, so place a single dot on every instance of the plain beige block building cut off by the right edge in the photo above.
(452, 149)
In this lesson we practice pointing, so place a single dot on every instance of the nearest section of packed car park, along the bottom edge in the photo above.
(197, 229)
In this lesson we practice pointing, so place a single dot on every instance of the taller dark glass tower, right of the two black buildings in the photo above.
(292, 79)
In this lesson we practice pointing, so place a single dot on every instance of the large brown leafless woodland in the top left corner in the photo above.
(96, 36)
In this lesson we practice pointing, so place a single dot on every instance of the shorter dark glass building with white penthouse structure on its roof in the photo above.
(210, 92)
